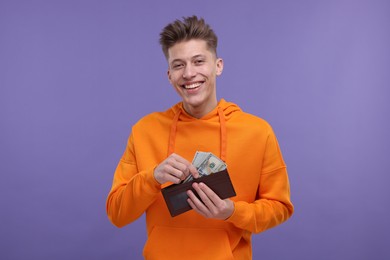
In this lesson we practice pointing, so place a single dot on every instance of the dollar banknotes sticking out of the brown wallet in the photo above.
(206, 163)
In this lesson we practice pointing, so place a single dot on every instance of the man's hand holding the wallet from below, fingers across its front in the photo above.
(210, 205)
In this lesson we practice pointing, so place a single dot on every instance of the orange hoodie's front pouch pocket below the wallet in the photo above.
(187, 243)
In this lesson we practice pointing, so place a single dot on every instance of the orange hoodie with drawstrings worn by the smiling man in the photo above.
(248, 146)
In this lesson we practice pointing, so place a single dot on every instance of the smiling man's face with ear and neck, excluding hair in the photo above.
(193, 69)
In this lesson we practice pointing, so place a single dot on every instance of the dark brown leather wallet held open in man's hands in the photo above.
(175, 195)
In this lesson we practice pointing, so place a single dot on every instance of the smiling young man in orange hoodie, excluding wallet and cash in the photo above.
(161, 146)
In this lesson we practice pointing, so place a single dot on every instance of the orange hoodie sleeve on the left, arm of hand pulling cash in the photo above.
(132, 192)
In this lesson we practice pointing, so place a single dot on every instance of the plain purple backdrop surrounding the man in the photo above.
(75, 75)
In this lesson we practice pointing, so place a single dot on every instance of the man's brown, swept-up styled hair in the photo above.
(190, 28)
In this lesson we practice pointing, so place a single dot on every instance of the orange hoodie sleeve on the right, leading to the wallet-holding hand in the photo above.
(273, 205)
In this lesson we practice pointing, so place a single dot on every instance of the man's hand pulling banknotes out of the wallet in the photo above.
(174, 169)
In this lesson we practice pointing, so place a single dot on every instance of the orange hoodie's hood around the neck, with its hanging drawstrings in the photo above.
(223, 112)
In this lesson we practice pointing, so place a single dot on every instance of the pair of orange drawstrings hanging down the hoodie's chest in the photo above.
(222, 122)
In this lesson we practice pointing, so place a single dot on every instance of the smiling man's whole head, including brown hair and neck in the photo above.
(193, 65)
